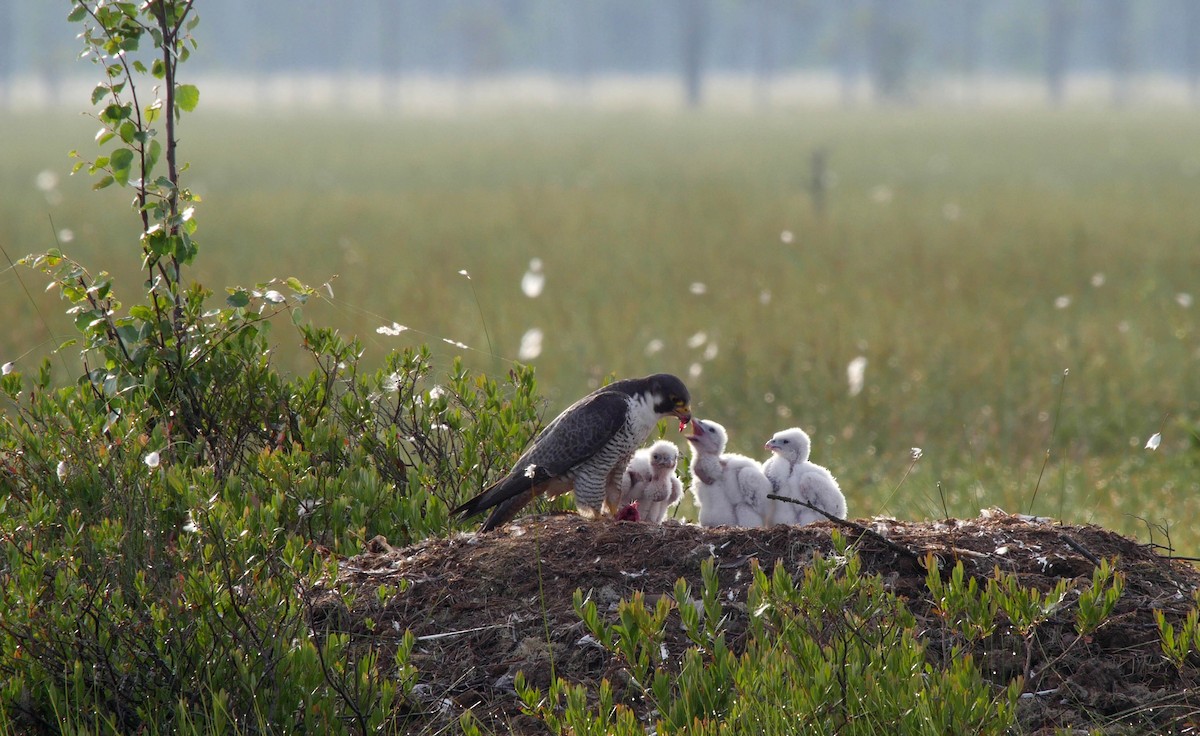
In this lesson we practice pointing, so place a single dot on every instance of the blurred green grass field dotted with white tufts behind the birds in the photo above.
(971, 258)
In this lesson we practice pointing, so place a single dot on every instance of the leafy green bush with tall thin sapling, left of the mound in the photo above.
(165, 514)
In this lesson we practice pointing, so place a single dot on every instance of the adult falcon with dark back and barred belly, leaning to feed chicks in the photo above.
(586, 448)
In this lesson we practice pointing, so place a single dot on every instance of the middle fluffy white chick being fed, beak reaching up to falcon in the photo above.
(730, 489)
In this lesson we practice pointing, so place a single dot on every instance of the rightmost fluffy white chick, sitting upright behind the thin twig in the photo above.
(793, 475)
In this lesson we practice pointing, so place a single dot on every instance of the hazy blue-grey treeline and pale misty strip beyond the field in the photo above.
(418, 55)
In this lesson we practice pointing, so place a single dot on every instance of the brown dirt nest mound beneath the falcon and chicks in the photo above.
(485, 607)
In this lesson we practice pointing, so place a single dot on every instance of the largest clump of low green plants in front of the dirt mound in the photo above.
(830, 654)
